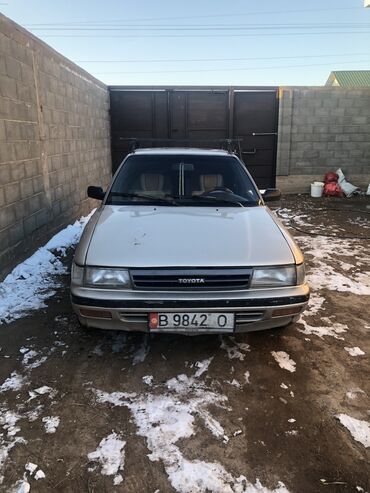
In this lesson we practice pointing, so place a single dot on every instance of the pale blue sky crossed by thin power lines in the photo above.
(203, 42)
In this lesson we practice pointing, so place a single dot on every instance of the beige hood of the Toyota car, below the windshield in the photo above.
(147, 236)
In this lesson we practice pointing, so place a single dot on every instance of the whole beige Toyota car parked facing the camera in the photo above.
(184, 243)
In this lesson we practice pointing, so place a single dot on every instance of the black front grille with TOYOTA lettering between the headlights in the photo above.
(191, 279)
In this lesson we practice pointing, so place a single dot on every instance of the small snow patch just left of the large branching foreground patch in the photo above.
(111, 456)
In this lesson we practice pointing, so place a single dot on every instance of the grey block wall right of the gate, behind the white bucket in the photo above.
(322, 129)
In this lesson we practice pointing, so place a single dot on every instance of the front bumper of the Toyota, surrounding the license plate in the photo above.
(129, 310)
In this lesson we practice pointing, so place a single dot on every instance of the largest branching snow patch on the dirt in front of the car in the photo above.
(166, 418)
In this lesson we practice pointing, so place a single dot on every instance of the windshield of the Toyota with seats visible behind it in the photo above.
(183, 180)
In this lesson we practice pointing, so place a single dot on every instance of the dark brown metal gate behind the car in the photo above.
(196, 114)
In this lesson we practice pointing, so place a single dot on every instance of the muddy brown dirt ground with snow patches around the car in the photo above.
(211, 409)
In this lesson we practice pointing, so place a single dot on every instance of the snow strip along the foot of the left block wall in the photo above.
(33, 281)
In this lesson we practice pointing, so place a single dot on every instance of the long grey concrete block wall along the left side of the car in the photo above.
(54, 142)
